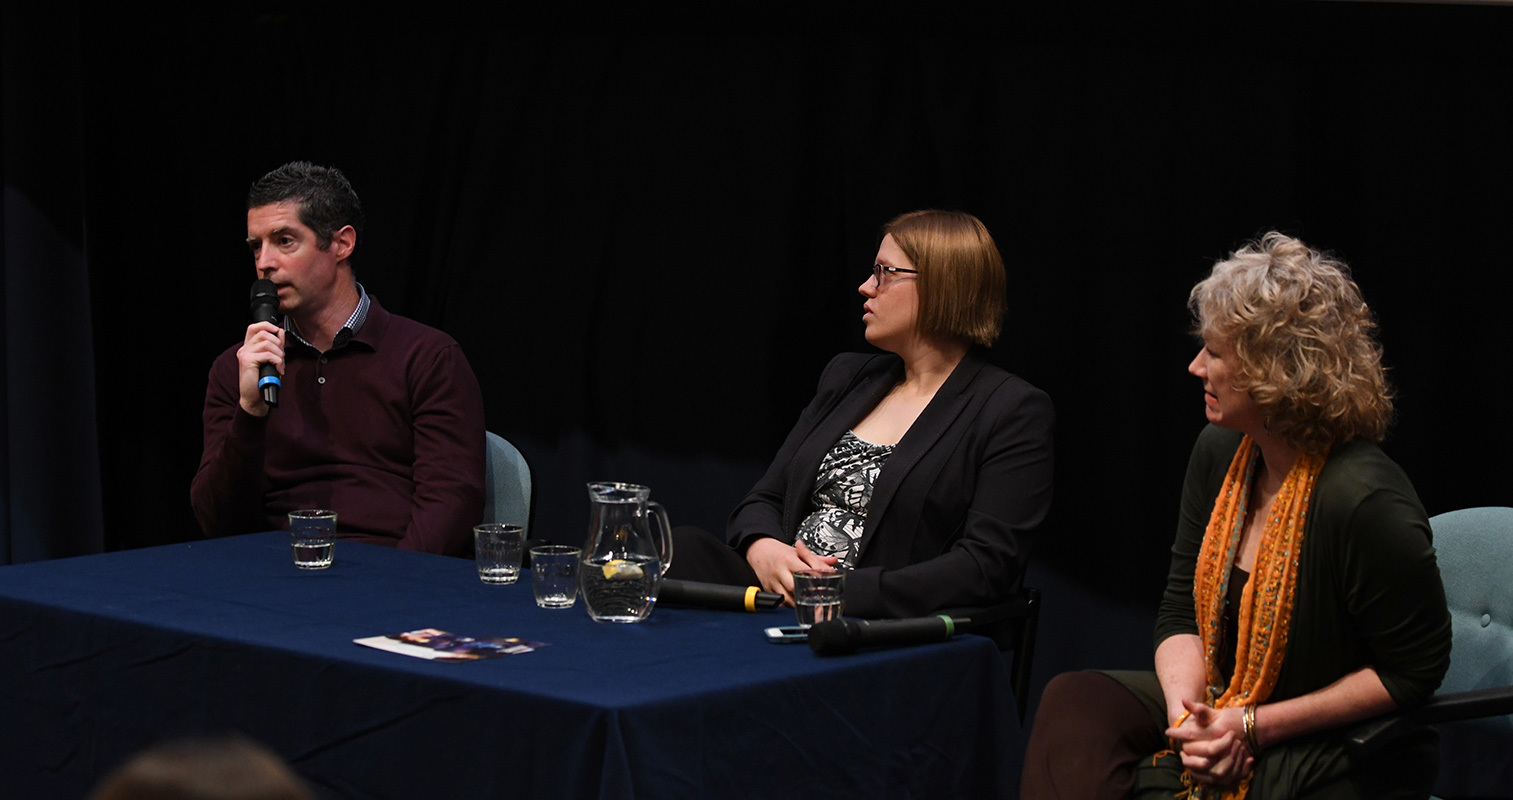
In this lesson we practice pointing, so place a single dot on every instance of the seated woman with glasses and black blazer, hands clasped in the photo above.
(924, 473)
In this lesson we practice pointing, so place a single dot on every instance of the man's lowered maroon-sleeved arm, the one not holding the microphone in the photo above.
(449, 456)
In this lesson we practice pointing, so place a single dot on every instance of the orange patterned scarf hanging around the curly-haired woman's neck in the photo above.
(1266, 613)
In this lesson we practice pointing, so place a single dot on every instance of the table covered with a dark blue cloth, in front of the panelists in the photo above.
(108, 654)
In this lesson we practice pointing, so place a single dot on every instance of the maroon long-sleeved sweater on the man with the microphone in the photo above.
(387, 432)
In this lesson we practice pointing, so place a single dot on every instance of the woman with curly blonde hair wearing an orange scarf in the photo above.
(1303, 594)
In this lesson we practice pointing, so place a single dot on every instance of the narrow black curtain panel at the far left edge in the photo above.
(51, 503)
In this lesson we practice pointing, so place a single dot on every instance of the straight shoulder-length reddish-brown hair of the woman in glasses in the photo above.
(962, 274)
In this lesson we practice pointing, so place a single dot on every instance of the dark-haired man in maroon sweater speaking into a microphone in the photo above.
(377, 417)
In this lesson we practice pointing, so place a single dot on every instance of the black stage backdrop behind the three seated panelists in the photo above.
(648, 237)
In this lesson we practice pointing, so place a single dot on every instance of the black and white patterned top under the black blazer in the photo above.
(842, 494)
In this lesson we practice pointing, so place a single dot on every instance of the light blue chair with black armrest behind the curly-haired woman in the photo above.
(1476, 752)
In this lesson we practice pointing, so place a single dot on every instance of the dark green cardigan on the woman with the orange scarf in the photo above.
(1369, 584)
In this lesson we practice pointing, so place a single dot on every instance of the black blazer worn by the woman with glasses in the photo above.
(957, 507)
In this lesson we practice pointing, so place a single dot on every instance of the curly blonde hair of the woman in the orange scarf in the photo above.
(1305, 341)
